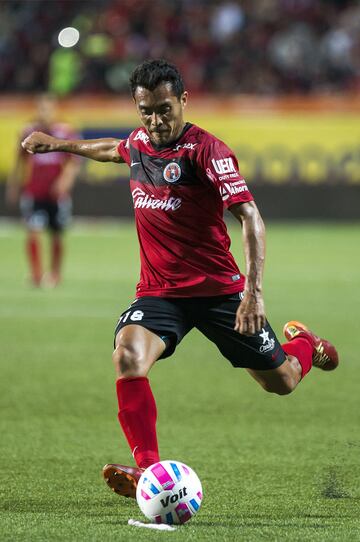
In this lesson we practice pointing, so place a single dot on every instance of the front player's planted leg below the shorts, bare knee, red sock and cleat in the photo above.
(136, 350)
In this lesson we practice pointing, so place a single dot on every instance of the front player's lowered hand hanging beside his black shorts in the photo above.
(250, 316)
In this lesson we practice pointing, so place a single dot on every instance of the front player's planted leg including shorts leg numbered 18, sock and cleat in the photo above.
(137, 348)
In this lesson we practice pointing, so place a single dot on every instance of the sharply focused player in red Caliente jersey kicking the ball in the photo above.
(182, 178)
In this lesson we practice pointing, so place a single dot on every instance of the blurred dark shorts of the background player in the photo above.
(45, 214)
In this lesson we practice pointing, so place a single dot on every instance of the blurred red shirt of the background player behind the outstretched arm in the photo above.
(44, 169)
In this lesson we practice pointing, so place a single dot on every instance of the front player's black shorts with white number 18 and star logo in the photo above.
(172, 318)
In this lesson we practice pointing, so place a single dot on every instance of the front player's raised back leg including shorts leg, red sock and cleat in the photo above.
(277, 368)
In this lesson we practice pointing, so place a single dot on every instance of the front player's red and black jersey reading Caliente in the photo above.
(179, 193)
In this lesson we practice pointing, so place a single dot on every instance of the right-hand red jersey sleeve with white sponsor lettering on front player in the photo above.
(219, 165)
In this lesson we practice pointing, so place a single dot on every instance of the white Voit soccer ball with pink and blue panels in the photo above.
(169, 492)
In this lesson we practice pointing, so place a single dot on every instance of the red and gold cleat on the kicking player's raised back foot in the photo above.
(325, 355)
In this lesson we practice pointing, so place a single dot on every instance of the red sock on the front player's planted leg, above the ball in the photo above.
(137, 416)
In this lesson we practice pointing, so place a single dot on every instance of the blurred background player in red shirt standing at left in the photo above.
(43, 184)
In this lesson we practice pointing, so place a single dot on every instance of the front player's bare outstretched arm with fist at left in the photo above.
(102, 150)
